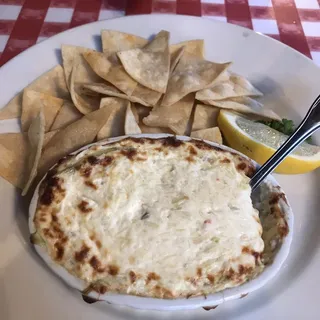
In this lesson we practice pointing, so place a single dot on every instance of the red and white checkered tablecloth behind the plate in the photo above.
(26, 22)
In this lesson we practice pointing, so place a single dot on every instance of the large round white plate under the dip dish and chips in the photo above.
(290, 82)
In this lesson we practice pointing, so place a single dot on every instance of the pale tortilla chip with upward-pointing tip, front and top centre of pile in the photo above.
(150, 65)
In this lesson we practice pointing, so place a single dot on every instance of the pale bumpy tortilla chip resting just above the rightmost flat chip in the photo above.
(236, 86)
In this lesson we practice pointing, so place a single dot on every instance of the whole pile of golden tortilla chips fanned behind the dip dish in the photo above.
(134, 86)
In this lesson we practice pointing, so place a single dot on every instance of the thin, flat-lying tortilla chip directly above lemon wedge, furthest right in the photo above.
(244, 105)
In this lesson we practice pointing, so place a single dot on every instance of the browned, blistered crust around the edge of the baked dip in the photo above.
(110, 277)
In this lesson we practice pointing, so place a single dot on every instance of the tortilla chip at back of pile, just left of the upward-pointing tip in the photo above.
(114, 41)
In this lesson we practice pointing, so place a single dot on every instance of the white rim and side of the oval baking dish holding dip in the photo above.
(175, 304)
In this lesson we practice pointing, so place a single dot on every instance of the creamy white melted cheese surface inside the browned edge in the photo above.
(180, 218)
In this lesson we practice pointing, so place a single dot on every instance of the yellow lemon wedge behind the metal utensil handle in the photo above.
(259, 142)
